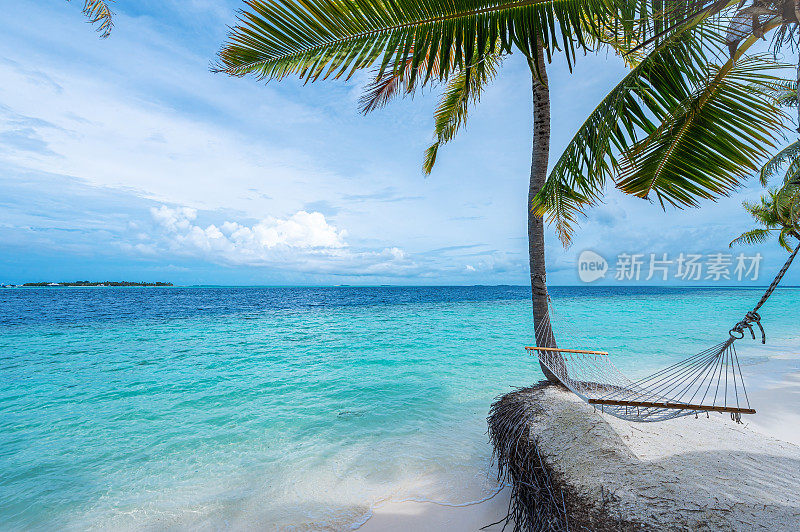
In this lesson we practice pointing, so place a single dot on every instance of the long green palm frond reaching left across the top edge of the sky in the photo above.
(320, 38)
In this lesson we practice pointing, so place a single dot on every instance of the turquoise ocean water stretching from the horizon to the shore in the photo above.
(296, 408)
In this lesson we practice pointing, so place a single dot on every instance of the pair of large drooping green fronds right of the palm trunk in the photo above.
(691, 120)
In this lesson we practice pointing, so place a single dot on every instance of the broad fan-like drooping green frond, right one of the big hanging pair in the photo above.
(709, 143)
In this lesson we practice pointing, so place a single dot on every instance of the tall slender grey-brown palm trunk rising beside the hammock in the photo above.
(539, 158)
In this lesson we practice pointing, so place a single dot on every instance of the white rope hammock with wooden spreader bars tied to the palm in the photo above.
(710, 381)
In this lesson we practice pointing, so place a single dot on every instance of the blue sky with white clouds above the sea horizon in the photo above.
(126, 158)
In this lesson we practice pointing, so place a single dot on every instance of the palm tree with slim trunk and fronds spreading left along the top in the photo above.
(416, 43)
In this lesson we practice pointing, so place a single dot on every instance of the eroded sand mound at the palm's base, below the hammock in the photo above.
(704, 473)
